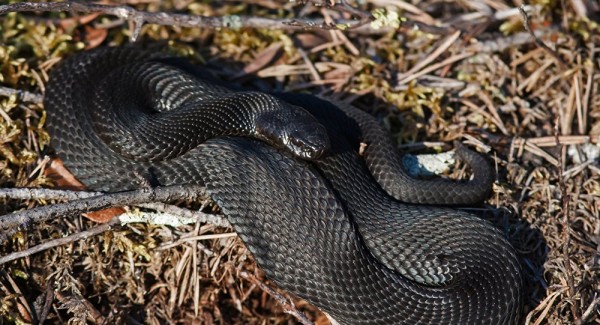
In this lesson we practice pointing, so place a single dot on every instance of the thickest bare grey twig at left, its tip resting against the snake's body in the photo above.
(9, 223)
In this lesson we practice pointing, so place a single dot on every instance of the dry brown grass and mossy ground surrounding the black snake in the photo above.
(488, 82)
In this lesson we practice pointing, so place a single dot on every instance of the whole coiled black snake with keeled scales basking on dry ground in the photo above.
(347, 231)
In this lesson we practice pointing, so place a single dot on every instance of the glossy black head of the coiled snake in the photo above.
(293, 129)
